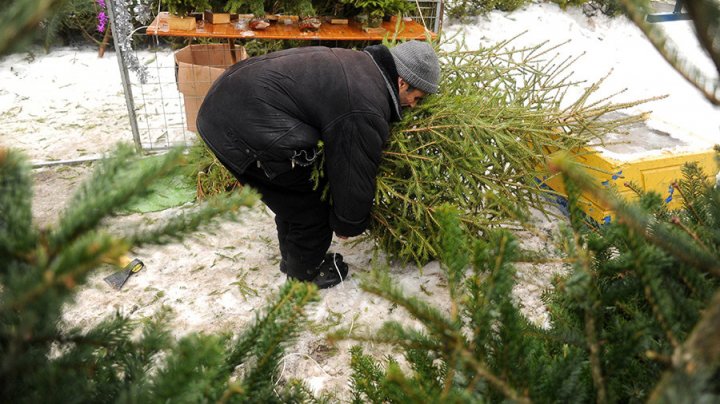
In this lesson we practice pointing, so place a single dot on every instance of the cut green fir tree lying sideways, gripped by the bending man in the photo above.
(480, 144)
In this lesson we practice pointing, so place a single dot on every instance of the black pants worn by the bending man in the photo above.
(301, 216)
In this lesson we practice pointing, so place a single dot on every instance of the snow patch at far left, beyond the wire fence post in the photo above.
(62, 105)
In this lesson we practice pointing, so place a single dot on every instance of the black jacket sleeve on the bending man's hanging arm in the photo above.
(353, 150)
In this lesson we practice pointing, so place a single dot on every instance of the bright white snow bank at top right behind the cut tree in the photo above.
(685, 120)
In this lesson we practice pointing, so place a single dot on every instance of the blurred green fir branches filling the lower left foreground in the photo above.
(121, 359)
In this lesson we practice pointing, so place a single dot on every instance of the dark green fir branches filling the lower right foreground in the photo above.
(633, 319)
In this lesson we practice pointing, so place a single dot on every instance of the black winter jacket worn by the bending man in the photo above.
(272, 110)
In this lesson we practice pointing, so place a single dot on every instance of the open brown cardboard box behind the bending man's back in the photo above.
(198, 66)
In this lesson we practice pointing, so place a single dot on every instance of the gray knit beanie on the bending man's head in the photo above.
(417, 64)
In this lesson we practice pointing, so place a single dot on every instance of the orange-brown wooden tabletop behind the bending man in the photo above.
(278, 30)
